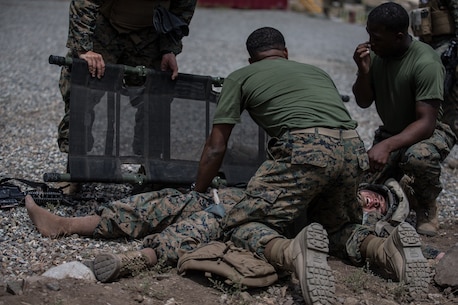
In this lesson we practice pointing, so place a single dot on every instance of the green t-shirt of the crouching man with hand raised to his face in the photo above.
(399, 83)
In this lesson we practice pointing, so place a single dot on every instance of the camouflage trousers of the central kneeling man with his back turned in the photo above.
(307, 178)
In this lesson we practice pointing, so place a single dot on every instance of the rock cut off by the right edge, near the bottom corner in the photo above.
(446, 269)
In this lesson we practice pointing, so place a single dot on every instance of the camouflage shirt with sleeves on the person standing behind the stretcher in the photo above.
(126, 16)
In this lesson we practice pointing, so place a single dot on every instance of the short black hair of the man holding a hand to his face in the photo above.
(390, 15)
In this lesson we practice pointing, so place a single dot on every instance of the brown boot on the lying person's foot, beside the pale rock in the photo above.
(108, 267)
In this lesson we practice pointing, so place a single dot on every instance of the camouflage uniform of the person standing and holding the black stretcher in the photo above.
(91, 30)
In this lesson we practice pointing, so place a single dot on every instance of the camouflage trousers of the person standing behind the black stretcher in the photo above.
(139, 49)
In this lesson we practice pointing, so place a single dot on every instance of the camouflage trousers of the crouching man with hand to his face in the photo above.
(421, 162)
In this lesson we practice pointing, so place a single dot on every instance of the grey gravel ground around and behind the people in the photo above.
(31, 107)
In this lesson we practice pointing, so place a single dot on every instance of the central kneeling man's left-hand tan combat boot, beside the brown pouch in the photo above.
(306, 256)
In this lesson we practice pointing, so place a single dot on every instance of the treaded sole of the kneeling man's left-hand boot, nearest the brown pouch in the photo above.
(317, 280)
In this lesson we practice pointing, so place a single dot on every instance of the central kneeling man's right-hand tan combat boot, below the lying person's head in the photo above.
(400, 258)
